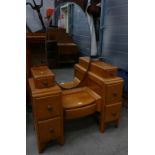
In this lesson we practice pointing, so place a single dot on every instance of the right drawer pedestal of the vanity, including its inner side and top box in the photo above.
(102, 78)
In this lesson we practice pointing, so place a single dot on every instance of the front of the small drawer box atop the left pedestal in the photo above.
(44, 82)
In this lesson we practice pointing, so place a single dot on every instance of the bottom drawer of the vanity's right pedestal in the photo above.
(112, 112)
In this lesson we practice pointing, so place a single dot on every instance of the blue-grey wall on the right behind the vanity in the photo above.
(115, 32)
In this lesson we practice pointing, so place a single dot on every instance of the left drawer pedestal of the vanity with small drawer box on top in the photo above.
(47, 107)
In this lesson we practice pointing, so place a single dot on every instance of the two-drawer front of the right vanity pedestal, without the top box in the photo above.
(113, 95)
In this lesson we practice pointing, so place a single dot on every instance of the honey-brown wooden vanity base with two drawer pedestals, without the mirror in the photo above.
(98, 93)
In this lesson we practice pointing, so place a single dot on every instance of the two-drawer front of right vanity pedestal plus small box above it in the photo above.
(112, 86)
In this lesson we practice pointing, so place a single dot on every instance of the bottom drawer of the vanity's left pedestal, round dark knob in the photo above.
(49, 129)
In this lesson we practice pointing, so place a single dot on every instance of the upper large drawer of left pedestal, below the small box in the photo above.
(47, 107)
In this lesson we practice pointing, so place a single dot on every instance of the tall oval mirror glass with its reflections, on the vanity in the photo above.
(69, 28)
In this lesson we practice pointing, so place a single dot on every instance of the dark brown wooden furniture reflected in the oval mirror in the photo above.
(65, 52)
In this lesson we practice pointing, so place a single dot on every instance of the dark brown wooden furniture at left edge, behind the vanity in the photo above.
(35, 55)
